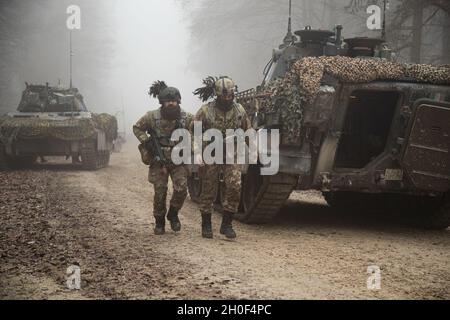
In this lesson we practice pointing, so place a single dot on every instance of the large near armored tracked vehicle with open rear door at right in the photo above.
(366, 131)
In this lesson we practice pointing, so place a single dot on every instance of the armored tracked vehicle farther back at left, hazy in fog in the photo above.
(54, 121)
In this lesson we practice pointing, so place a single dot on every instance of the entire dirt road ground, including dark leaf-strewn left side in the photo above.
(55, 216)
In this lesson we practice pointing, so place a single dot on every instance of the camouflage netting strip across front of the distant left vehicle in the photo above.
(68, 129)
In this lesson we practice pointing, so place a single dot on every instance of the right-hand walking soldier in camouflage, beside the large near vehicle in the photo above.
(222, 114)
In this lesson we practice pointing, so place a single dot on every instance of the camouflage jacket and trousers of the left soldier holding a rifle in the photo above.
(158, 174)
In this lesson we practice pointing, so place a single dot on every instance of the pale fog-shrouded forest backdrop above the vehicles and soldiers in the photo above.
(123, 46)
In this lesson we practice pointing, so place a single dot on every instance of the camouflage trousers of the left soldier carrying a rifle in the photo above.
(160, 179)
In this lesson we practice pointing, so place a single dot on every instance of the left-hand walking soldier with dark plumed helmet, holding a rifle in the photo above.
(163, 122)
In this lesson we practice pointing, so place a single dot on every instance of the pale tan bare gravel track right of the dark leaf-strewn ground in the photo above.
(322, 258)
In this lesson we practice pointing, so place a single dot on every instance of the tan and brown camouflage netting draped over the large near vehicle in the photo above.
(301, 85)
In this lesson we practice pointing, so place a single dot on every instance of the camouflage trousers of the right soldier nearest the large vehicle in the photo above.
(232, 180)
